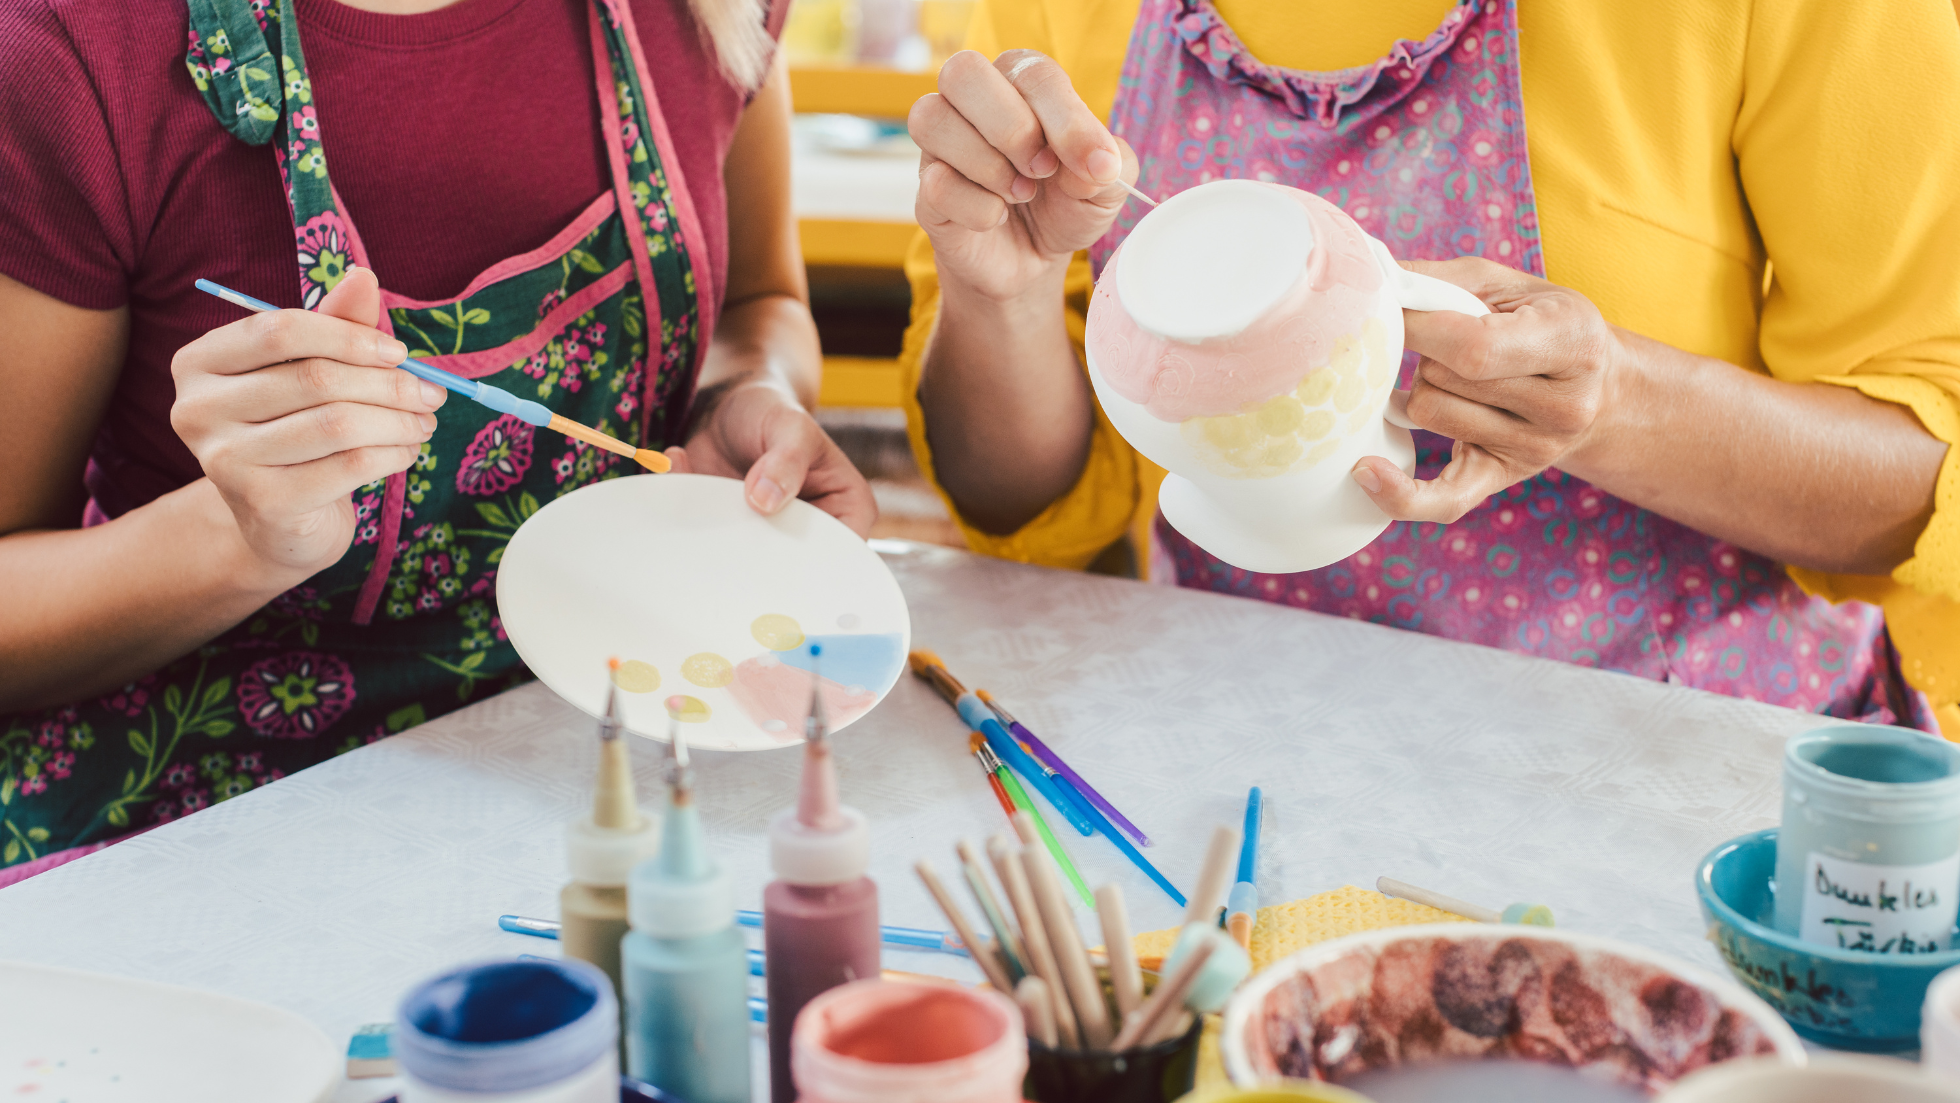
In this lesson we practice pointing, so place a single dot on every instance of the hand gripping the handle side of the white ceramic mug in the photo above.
(1518, 389)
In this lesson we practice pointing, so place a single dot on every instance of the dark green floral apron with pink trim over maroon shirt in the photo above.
(405, 626)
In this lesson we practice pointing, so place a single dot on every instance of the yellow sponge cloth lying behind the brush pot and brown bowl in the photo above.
(1287, 930)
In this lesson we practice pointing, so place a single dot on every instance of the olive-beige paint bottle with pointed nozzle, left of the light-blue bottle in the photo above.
(603, 851)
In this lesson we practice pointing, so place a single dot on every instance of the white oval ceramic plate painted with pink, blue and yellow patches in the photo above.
(695, 591)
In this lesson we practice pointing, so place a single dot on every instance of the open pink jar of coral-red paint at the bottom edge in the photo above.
(881, 1041)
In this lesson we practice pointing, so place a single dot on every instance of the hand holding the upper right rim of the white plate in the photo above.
(761, 436)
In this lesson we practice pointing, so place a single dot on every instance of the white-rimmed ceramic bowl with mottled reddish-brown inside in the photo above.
(1463, 992)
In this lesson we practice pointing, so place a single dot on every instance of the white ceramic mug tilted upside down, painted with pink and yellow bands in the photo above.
(1248, 340)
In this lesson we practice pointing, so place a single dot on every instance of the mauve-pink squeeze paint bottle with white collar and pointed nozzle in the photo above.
(820, 916)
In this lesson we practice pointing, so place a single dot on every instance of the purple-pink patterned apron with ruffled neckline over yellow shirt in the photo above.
(1426, 150)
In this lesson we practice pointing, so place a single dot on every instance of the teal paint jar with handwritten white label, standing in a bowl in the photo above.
(1869, 857)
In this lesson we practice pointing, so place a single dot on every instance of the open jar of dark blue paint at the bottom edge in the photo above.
(511, 1031)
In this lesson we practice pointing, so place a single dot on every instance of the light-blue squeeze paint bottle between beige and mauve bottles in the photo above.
(685, 963)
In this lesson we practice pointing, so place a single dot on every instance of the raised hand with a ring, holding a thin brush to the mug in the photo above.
(1016, 173)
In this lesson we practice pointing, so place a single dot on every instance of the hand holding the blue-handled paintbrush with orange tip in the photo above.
(291, 412)
